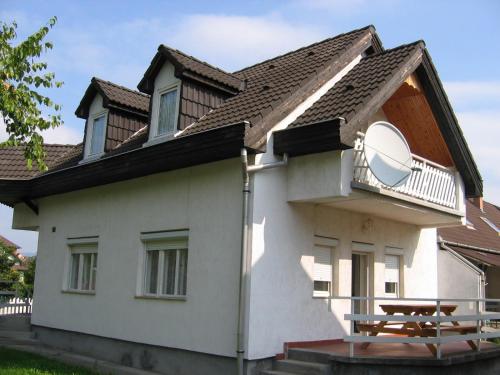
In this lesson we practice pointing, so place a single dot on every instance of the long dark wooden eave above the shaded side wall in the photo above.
(209, 146)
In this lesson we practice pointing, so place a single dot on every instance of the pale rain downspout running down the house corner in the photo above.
(244, 272)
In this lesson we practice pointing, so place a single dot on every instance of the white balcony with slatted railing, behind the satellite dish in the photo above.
(433, 196)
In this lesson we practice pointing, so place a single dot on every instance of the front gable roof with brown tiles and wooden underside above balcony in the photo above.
(352, 102)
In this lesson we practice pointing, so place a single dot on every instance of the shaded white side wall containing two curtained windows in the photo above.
(205, 199)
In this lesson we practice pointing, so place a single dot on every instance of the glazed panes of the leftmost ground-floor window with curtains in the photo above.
(83, 267)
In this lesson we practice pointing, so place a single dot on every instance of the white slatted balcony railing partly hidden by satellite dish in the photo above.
(429, 181)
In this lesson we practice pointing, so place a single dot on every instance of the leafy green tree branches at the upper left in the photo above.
(23, 108)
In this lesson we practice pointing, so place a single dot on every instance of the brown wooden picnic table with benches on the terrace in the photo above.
(416, 329)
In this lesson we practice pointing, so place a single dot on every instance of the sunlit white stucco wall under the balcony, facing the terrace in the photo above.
(282, 307)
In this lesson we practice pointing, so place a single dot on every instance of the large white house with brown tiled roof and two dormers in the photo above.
(150, 255)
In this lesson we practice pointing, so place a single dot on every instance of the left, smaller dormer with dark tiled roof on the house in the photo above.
(112, 114)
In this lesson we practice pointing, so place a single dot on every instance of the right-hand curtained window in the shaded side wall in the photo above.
(165, 265)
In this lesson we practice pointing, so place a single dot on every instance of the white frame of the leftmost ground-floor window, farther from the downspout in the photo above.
(81, 247)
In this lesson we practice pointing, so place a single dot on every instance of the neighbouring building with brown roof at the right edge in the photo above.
(470, 255)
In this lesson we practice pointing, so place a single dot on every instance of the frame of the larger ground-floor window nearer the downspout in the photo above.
(163, 242)
